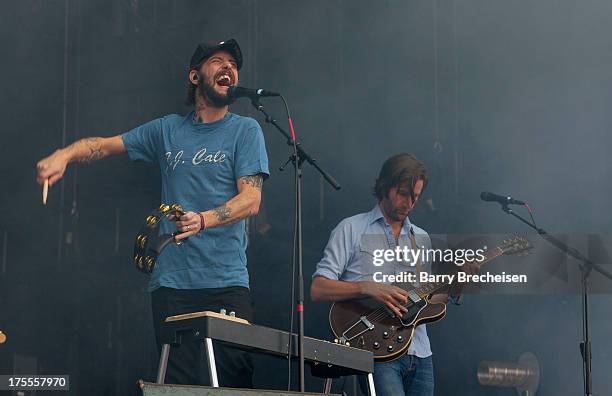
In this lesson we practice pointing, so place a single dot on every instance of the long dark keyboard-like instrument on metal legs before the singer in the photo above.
(327, 359)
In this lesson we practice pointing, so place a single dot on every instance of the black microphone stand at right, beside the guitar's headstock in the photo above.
(586, 267)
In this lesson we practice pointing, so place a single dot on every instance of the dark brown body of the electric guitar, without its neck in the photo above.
(367, 325)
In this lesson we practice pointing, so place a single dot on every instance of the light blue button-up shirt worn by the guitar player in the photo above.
(349, 256)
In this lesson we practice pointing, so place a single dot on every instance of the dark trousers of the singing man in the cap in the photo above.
(187, 364)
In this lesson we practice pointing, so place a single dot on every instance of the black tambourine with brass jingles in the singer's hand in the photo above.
(149, 245)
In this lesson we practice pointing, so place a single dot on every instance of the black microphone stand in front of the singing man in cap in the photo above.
(297, 158)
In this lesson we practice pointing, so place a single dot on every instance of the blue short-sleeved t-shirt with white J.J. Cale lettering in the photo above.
(200, 164)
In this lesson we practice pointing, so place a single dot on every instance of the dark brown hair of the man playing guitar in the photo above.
(399, 169)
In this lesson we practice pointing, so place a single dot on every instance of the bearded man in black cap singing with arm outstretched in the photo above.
(213, 163)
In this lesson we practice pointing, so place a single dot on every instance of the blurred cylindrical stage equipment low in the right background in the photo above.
(523, 375)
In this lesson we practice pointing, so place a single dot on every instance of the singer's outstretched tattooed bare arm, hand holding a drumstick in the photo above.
(82, 151)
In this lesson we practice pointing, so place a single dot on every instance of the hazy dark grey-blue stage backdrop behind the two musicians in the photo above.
(505, 96)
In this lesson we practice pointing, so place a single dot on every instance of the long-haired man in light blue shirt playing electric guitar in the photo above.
(346, 269)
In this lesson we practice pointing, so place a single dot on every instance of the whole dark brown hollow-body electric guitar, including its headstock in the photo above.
(368, 324)
